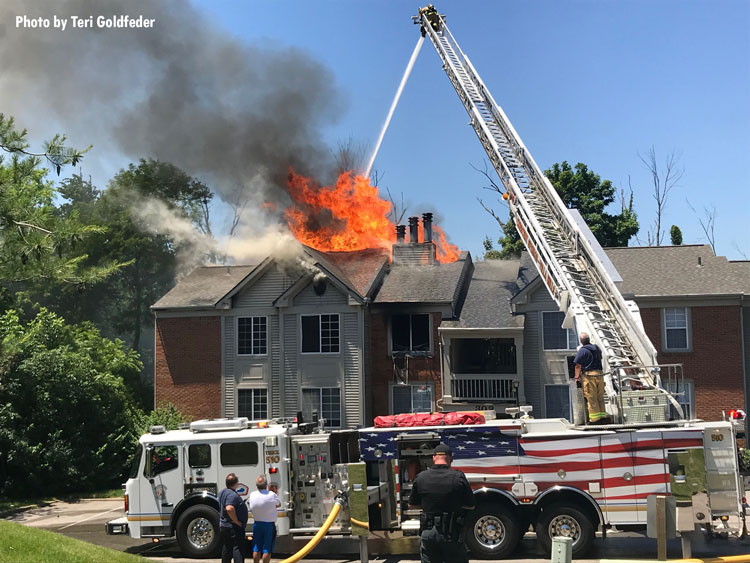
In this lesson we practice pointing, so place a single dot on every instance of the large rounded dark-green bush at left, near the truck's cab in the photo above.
(67, 419)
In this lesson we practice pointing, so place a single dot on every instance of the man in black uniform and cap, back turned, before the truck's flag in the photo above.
(444, 495)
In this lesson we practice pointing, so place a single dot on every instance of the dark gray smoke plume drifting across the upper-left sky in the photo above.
(233, 114)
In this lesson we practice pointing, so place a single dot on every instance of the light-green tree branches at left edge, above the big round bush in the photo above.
(35, 242)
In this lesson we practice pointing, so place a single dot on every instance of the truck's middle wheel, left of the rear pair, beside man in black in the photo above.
(491, 531)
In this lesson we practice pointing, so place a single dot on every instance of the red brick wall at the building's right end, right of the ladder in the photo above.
(715, 362)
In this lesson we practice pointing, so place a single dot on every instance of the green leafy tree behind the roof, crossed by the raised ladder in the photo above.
(581, 189)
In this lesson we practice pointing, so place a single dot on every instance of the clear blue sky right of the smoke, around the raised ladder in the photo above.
(585, 81)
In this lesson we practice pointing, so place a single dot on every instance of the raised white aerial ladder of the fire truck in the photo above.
(567, 263)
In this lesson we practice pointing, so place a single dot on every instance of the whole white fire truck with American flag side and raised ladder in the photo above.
(560, 478)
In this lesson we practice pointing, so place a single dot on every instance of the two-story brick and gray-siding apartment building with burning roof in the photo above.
(360, 334)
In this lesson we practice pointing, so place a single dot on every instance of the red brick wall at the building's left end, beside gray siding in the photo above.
(187, 365)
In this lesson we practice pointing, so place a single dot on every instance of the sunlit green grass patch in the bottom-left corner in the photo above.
(20, 544)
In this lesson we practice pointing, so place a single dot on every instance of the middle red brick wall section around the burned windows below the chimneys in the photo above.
(381, 364)
